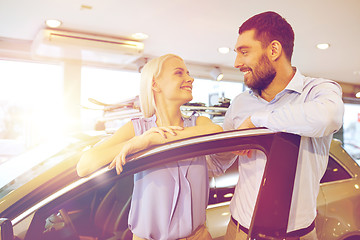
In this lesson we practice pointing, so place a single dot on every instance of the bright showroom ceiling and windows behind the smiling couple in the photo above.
(45, 94)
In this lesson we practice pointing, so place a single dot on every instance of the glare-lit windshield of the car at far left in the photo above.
(19, 170)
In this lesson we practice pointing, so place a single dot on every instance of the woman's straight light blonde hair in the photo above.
(149, 73)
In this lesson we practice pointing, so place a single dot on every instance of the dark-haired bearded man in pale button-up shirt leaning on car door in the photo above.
(281, 99)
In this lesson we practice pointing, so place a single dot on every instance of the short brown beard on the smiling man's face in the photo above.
(262, 75)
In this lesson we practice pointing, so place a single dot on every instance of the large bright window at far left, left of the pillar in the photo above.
(31, 101)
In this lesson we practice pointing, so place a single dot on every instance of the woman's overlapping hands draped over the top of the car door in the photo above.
(153, 136)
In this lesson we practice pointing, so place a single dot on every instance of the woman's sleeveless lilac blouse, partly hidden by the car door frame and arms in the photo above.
(169, 202)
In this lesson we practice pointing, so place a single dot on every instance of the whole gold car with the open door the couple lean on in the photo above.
(51, 202)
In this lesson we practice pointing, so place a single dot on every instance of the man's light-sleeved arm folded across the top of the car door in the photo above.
(318, 117)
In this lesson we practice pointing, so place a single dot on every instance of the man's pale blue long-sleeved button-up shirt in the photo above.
(309, 107)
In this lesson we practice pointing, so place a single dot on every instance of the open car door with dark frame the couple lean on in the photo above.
(272, 207)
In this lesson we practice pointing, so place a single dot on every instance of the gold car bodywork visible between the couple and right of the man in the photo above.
(338, 202)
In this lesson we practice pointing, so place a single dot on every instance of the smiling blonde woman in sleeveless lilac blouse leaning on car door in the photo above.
(168, 202)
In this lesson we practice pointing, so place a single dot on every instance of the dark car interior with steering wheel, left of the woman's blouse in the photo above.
(99, 212)
